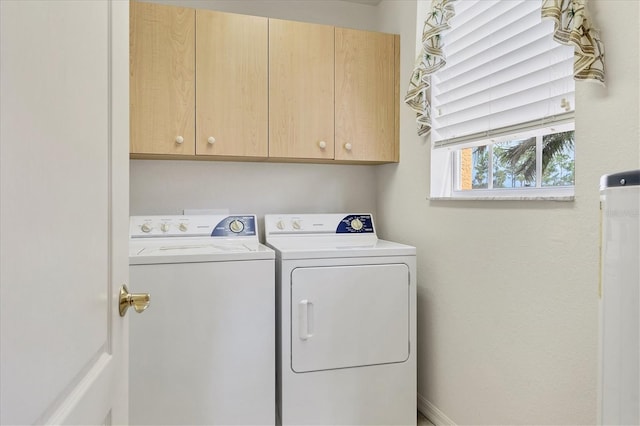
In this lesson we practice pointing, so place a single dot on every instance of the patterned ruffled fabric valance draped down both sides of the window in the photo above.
(572, 27)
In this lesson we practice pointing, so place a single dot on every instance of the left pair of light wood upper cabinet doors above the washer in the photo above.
(198, 82)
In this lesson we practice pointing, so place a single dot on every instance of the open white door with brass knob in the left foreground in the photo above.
(64, 211)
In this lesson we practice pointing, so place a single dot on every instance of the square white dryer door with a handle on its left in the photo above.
(349, 316)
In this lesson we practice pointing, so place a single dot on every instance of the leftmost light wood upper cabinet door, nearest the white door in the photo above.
(162, 79)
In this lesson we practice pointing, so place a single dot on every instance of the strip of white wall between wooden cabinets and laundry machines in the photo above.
(167, 187)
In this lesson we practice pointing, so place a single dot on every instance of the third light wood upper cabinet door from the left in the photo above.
(301, 90)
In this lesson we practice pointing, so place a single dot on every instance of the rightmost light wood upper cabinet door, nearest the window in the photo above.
(366, 96)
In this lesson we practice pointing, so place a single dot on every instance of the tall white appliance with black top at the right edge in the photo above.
(619, 402)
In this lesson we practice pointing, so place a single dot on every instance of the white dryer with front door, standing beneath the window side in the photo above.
(346, 324)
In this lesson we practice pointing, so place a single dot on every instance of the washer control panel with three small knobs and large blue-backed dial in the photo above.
(193, 226)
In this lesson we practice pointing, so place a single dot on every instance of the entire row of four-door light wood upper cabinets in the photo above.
(221, 85)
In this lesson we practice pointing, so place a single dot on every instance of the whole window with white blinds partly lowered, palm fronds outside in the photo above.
(503, 106)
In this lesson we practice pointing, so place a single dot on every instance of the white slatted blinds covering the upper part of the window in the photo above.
(504, 75)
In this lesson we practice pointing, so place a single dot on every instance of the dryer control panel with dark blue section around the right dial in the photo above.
(304, 224)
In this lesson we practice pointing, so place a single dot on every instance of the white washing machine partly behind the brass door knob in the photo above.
(204, 351)
